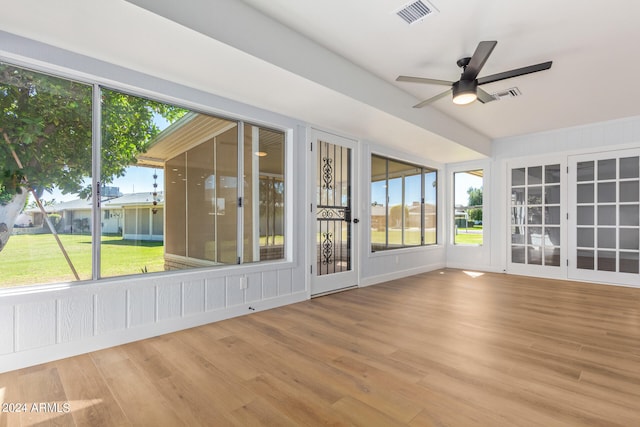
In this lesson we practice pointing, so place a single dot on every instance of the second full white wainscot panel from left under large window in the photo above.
(75, 317)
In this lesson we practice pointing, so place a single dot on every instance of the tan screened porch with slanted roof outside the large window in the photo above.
(202, 148)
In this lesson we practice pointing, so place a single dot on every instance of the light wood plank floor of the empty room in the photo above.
(435, 349)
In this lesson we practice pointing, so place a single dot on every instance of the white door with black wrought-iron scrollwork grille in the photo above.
(334, 224)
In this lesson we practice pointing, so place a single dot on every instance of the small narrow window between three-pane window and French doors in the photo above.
(467, 207)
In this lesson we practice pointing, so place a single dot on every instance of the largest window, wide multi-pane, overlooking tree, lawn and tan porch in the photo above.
(177, 189)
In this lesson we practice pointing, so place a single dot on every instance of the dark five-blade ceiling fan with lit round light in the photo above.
(466, 89)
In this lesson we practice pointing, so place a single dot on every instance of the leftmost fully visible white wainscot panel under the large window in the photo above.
(36, 325)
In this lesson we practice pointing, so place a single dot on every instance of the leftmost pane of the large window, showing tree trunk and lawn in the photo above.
(45, 156)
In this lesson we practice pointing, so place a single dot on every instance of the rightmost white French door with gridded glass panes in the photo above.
(604, 217)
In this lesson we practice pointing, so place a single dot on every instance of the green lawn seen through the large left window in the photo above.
(30, 259)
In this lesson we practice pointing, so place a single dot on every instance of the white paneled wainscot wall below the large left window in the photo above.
(40, 326)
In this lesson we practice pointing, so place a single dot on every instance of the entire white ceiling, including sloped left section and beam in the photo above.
(333, 63)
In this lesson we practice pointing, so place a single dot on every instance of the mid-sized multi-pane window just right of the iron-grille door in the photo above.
(403, 204)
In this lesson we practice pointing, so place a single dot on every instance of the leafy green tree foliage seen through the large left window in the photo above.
(46, 136)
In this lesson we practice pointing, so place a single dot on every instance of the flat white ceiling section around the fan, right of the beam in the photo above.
(591, 44)
